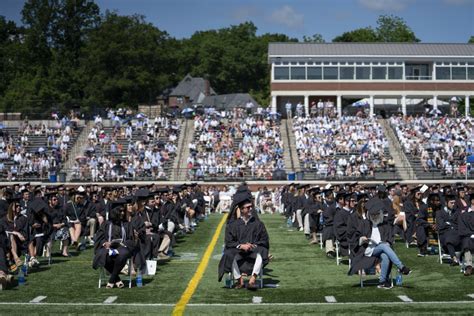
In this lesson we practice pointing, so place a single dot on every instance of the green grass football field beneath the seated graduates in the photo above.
(299, 273)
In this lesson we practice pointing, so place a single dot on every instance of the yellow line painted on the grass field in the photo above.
(193, 284)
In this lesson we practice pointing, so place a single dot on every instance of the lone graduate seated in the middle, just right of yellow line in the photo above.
(246, 243)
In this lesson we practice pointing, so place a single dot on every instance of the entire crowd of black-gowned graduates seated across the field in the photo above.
(129, 224)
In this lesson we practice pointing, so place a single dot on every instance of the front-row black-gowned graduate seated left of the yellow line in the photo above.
(115, 243)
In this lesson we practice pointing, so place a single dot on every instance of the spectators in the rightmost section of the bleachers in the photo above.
(440, 144)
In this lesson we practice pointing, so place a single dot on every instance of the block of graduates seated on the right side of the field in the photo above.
(363, 221)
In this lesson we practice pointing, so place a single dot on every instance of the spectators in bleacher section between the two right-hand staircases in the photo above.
(341, 147)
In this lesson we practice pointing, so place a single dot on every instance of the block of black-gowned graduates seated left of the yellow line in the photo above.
(121, 223)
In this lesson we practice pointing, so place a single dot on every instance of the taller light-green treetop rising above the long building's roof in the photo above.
(392, 28)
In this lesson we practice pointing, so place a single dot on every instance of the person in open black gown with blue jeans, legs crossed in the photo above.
(375, 239)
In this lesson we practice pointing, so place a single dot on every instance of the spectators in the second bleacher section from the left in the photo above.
(132, 148)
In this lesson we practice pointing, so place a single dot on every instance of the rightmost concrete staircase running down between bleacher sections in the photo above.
(401, 161)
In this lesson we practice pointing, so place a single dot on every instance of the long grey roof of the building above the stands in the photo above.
(370, 49)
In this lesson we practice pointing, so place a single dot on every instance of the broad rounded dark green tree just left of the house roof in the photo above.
(125, 61)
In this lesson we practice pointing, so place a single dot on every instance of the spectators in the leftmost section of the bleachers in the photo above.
(36, 150)
